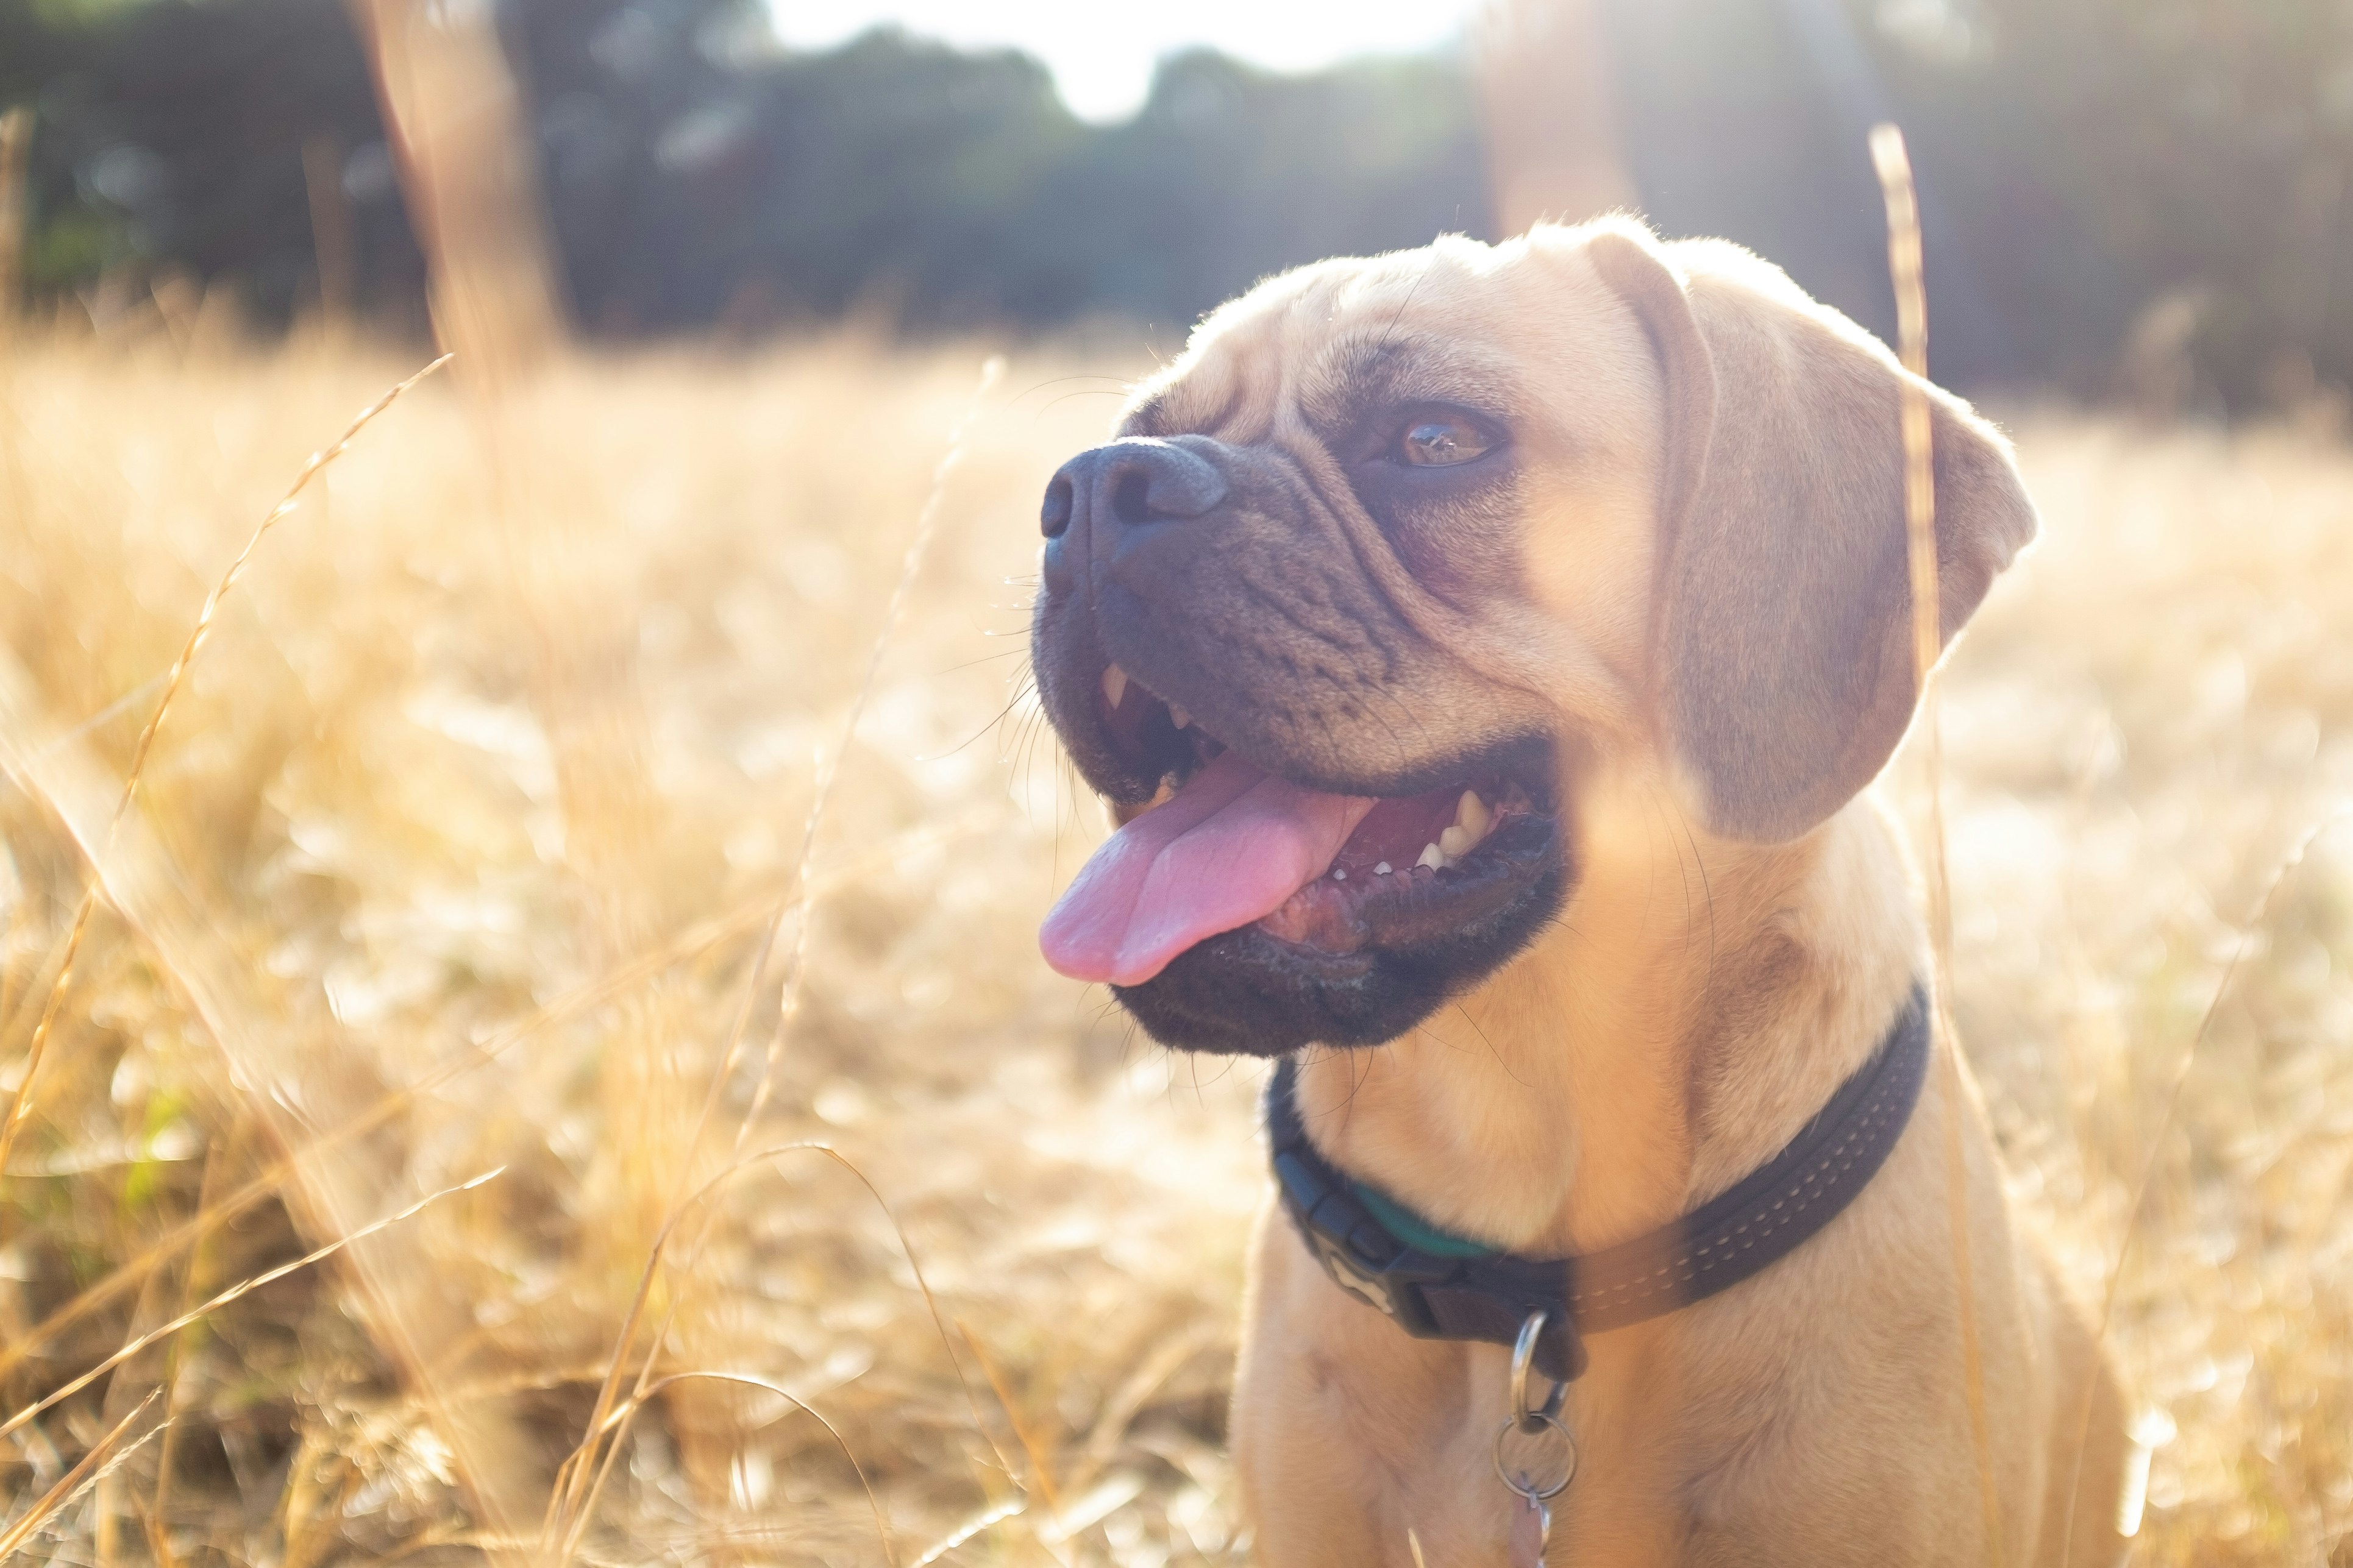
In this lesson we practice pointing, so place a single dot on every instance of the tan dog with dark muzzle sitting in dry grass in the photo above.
(1578, 565)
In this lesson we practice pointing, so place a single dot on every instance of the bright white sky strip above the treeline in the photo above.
(1102, 51)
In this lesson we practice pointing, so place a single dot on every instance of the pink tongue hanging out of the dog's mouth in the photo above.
(1232, 847)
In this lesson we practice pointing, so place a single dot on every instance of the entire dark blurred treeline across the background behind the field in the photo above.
(2109, 185)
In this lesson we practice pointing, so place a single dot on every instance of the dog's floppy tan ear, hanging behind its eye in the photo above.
(1782, 652)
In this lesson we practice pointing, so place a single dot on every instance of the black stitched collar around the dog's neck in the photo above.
(1441, 1287)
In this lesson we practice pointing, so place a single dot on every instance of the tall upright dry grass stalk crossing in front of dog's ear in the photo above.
(1893, 166)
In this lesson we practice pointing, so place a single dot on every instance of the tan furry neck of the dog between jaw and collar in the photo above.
(1691, 1010)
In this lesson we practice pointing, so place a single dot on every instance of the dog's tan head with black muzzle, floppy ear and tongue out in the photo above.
(1401, 549)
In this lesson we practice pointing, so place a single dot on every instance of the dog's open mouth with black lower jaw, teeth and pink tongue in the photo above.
(1237, 892)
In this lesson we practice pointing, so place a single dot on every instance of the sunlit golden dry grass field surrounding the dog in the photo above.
(458, 855)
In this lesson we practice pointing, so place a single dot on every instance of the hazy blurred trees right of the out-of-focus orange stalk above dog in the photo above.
(2147, 187)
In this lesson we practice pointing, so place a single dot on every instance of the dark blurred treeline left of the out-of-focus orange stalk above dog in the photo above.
(700, 177)
